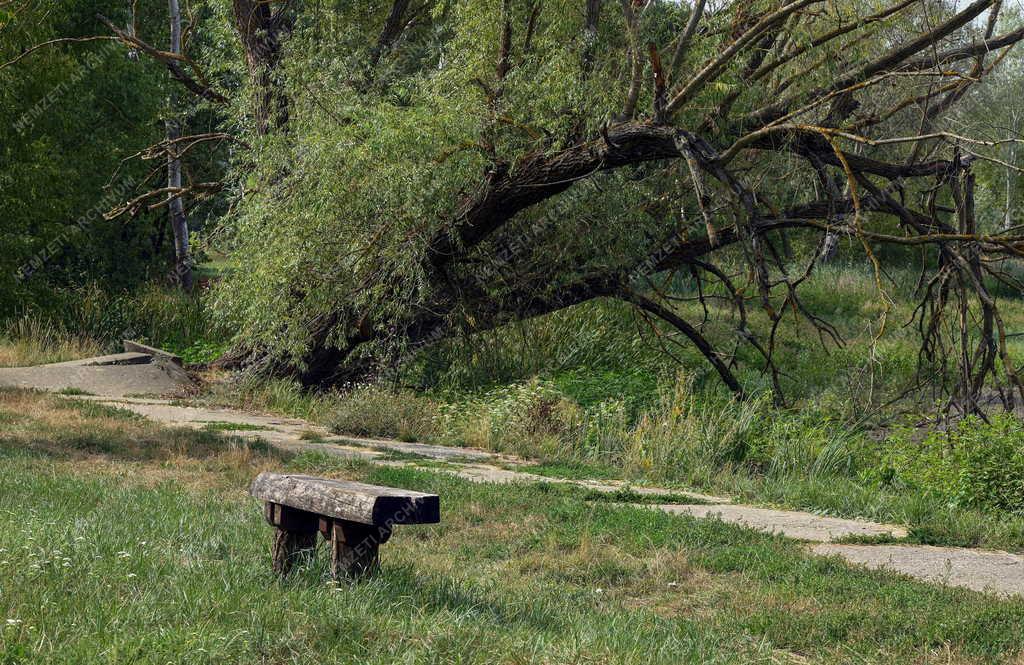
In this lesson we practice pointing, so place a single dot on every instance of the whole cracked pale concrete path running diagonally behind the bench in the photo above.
(113, 380)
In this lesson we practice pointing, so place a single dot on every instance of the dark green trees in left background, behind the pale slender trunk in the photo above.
(82, 113)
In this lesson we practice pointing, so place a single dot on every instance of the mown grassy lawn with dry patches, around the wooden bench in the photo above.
(124, 543)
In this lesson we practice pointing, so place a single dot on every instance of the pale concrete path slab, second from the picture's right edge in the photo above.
(793, 524)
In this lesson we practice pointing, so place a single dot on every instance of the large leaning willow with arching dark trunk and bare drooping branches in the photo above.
(450, 168)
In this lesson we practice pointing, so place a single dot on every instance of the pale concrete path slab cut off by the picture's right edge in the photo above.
(993, 572)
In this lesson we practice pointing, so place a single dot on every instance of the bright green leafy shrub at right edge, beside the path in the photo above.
(974, 465)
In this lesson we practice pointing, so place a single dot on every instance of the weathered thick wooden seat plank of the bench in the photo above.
(368, 505)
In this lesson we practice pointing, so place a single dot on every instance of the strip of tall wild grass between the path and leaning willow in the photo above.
(687, 434)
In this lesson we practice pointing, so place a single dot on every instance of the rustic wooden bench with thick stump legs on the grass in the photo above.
(355, 518)
